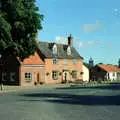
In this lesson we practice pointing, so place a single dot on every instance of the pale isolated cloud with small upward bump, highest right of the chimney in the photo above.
(92, 27)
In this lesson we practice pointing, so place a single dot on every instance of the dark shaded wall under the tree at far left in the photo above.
(9, 65)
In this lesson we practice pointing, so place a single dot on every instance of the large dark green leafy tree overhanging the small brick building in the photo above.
(19, 23)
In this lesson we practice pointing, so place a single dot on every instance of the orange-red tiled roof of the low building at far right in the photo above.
(109, 68)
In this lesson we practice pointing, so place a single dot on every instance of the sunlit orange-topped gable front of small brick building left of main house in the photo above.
(35, 65)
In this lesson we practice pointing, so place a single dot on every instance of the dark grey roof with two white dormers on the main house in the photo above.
(46, 50)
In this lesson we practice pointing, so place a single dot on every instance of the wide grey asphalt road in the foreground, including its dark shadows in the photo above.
(66, 103)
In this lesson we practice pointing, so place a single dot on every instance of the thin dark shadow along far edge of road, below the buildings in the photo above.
(111, 86)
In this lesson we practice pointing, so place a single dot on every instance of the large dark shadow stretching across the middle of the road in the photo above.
(73, 99)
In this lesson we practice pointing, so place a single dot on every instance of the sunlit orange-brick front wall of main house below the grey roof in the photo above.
(60, 66)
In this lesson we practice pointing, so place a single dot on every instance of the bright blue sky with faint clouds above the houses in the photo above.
(94, 25)
